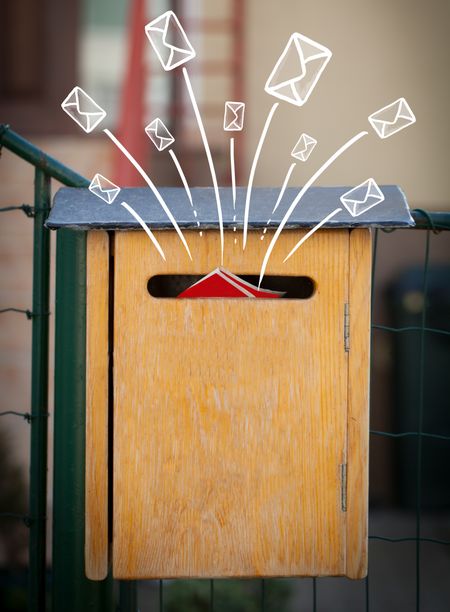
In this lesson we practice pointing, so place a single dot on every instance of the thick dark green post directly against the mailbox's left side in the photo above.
(72, 591)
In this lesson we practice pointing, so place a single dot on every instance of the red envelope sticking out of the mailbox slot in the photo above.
(223, 284)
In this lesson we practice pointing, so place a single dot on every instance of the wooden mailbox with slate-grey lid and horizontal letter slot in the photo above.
(239, 427)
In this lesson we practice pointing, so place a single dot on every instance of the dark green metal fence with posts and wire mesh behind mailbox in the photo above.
(71, 591)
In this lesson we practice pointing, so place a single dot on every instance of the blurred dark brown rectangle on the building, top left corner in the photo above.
(38, 63)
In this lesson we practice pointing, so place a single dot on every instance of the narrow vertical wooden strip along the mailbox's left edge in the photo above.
(96, 491)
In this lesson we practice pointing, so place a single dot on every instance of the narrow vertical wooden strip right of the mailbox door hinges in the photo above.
(358, 402)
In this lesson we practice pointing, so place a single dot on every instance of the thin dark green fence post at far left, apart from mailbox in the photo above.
(39, 396)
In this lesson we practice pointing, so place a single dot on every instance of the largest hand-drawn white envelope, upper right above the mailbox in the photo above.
(298, 70)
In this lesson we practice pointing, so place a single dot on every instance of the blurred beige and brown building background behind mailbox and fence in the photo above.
(381, 51)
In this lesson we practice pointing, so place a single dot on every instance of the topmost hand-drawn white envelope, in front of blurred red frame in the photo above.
(169, 41)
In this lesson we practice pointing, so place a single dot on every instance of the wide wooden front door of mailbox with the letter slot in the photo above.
(230, 416)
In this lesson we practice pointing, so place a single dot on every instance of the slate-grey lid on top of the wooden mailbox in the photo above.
(80, 209)
